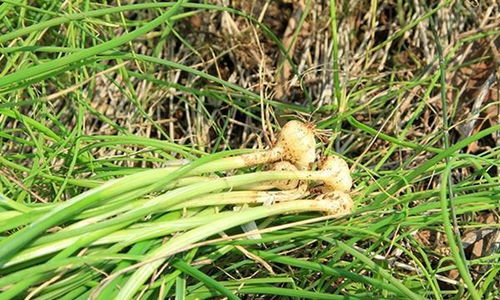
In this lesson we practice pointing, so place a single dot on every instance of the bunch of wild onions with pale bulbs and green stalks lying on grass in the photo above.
(52, 251)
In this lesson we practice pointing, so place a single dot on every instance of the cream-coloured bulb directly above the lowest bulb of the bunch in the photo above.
(336, 173)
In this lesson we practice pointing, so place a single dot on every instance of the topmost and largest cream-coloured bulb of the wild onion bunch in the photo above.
(297, 144)
